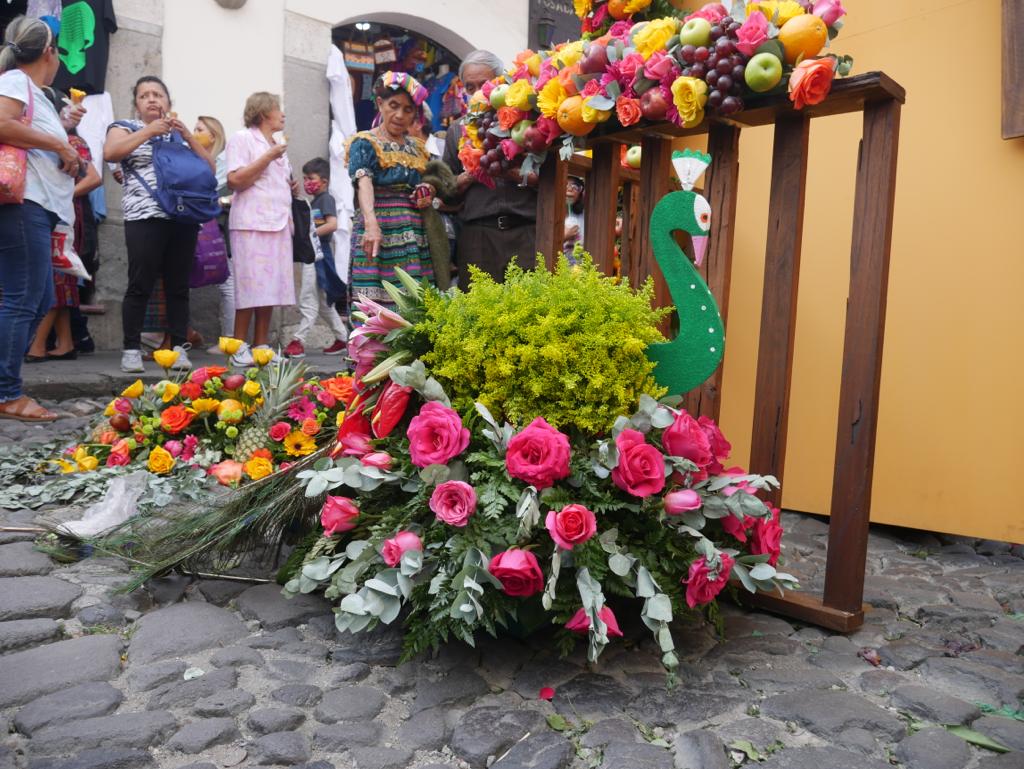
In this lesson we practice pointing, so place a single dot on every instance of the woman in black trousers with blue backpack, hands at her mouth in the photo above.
(169, 191)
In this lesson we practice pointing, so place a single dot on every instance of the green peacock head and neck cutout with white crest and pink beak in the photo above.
(694, 356)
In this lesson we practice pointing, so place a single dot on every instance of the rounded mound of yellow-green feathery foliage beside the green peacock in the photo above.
(567, 346)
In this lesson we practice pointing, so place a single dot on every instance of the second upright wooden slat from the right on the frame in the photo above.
(779, 309)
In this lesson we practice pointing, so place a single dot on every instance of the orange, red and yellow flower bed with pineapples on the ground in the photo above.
(239, 428)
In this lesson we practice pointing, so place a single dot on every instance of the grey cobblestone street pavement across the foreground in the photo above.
(219, 674)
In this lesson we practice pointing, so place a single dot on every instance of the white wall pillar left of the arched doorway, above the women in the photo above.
(215, 59)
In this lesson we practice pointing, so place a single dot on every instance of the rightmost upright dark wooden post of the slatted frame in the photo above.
(866, 321)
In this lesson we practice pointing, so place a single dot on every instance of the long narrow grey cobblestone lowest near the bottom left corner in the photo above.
(124, 731)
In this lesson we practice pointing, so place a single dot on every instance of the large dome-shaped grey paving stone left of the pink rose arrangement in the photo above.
(160, 635)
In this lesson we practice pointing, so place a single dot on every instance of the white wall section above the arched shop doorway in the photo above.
(461, 26)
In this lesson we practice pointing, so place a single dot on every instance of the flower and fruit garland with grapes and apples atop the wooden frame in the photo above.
(656, 70)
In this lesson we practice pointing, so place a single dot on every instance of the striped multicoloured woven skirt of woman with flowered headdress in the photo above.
(404, 245)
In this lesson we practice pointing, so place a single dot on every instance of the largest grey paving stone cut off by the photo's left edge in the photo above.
(33, 673)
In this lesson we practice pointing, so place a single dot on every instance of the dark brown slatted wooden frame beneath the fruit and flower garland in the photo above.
(880, 100)
